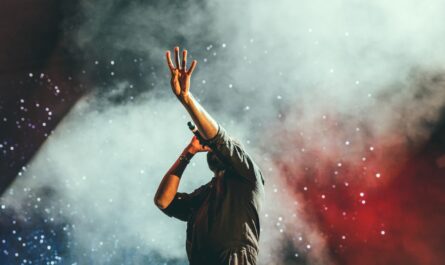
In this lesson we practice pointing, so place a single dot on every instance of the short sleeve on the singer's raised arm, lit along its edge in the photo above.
(234, 154)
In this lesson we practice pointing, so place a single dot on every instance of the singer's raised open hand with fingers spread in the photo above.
(180, 79)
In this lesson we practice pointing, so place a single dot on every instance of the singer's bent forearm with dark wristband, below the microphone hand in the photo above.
(170, 182)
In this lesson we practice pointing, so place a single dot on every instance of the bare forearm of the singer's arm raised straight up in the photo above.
(207, 126)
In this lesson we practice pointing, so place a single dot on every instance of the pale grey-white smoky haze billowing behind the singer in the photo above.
(264, 69)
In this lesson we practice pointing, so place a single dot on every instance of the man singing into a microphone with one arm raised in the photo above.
(223, 215)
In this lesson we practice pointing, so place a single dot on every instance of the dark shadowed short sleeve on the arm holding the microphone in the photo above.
(182, 205)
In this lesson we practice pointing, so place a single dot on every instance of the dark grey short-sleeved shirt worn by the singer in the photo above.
(224, 223)
